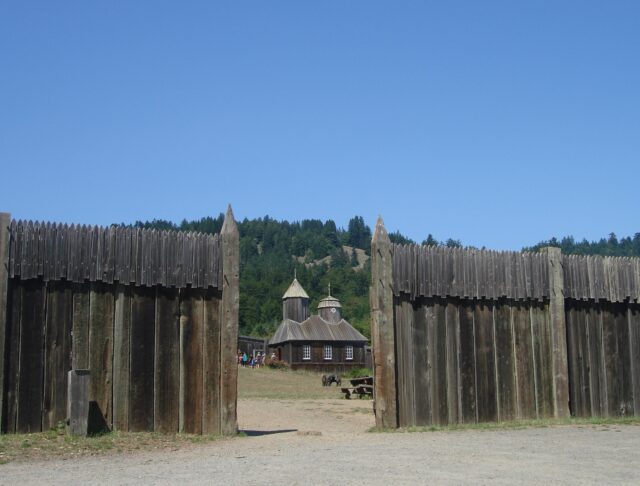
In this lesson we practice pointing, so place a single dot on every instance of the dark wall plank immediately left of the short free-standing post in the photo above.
(57, 360)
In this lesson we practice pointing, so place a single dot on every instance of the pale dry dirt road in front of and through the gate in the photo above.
(325, 442)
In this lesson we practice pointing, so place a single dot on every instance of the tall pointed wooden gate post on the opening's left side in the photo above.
(229, 324)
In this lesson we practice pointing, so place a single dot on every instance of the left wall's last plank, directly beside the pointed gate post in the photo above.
(211, 373)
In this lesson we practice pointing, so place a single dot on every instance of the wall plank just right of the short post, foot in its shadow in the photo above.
(101, 311)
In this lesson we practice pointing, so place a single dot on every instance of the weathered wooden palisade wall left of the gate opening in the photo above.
(152, 315)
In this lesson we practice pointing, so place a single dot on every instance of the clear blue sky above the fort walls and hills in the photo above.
(497, 123)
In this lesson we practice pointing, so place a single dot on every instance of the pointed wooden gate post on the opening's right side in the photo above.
(382, 329)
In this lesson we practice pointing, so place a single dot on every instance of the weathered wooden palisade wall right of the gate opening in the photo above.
(465, 336)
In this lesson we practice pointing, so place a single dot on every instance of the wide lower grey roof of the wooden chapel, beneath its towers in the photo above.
(316, 329)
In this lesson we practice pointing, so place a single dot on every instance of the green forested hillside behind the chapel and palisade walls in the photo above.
(321, 253)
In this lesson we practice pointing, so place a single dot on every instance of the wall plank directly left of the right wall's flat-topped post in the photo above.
(524, 362)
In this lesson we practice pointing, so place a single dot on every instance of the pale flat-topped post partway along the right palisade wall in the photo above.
(559, 363)
